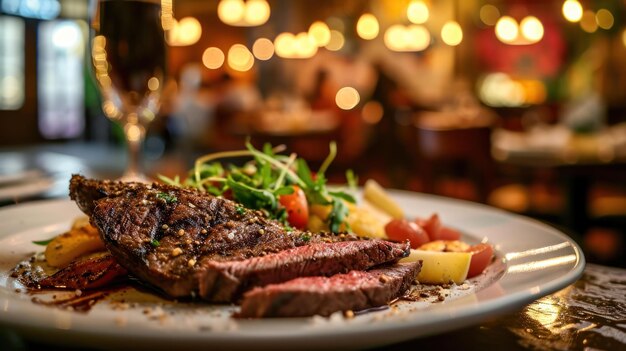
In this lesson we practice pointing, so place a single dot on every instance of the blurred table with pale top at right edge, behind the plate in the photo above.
(579, 160)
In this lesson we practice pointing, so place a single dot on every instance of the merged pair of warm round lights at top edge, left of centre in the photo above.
(243, 14)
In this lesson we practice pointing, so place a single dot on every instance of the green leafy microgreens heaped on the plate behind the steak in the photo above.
(258, 183)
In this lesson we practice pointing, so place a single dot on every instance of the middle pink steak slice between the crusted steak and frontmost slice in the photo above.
(225, 281)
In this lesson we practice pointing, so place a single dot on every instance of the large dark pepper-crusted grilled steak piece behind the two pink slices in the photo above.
(174, 238)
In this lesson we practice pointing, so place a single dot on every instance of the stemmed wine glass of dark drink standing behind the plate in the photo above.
(128, 54)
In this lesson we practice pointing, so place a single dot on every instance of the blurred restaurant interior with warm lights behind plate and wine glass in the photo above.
(516, 104)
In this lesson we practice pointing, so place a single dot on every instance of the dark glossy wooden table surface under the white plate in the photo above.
(587, 315)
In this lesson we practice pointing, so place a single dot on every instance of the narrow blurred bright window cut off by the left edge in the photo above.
(11, 63)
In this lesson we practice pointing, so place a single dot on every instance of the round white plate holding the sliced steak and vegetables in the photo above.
(534, 260)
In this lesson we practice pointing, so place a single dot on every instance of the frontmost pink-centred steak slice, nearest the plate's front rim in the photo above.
(308, 296)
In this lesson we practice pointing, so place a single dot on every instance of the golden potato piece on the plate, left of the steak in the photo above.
(65, 248)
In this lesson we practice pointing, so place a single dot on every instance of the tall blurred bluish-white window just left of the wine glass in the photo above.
(61, 80)
